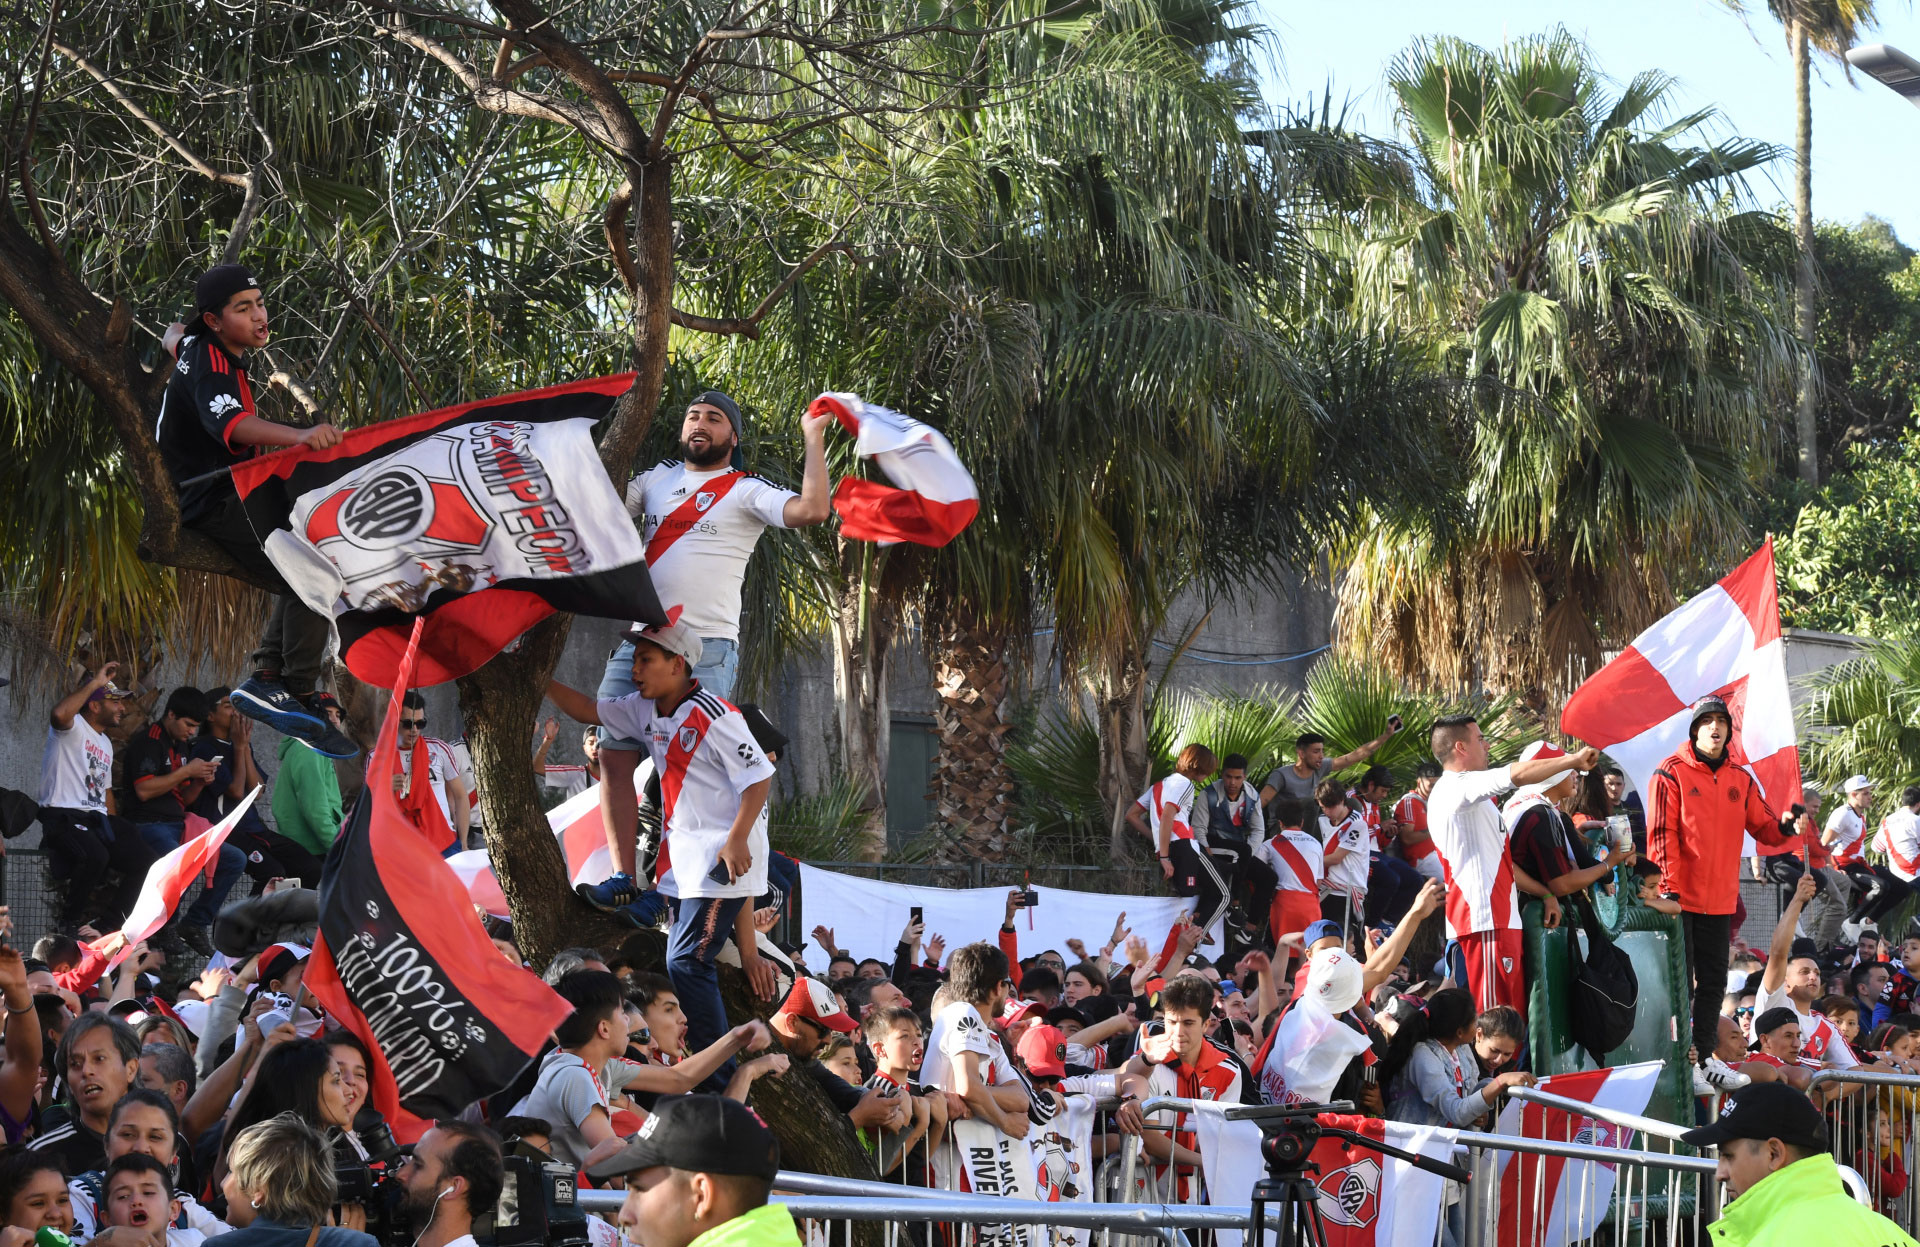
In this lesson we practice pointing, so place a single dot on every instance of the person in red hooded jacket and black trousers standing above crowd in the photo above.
(1704, 804)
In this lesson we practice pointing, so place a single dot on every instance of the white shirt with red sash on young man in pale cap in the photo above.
(706, 758)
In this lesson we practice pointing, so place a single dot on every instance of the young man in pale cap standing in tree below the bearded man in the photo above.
(713, 816)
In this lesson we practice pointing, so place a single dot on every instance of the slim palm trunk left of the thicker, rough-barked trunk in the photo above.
(865, 623)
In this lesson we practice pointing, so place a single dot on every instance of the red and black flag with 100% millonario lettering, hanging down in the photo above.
(404, 964)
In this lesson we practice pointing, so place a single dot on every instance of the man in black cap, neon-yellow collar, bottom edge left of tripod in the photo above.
(700, 1171)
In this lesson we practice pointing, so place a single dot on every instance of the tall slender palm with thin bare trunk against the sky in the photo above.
(1827, 28)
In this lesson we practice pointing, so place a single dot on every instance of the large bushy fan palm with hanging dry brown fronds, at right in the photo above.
(1618, 322)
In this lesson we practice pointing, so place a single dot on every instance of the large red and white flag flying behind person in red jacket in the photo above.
(1725, 641)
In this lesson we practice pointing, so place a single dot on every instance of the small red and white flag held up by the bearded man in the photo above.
(936, 495)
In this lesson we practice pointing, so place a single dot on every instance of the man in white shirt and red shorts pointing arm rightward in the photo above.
(1483, 914)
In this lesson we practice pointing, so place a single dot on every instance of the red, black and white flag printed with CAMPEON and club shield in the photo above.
(483, 520)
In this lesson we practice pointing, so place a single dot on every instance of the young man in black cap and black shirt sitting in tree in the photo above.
(206, 426)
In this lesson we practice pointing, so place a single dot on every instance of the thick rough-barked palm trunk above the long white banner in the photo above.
(971, 777)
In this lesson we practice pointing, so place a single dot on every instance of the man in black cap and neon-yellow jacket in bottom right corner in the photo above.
(1781, 1181)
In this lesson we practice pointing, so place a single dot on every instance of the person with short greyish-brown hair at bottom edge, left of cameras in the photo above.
(281, 1188)
